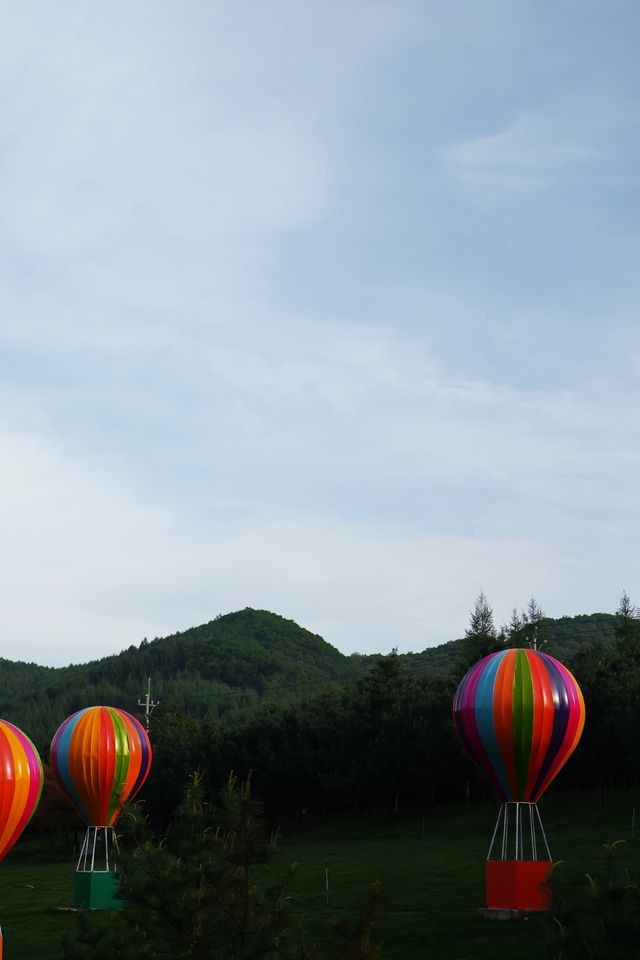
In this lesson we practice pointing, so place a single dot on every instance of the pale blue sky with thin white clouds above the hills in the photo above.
(329, 309)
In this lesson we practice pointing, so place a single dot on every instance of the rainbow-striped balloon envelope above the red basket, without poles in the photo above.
(520, 715)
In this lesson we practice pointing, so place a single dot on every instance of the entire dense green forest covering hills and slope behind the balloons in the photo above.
(320, 732)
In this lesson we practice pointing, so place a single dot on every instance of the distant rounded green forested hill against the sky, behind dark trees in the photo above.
(231, 664)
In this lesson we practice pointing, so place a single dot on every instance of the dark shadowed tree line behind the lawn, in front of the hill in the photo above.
(386, 739)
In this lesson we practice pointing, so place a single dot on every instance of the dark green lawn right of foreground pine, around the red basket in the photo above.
(434, 885)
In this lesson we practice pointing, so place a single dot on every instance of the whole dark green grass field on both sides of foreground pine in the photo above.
(431, 871)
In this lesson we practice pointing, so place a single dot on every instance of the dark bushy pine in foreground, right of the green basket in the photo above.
(193, 893)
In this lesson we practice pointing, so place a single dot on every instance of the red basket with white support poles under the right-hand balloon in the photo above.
(517, 872)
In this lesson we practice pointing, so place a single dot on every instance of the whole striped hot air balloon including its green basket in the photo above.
(100, 757)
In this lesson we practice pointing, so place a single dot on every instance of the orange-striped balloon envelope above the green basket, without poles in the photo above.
(100, 757)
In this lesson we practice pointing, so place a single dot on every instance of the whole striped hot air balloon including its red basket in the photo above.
(520, 715)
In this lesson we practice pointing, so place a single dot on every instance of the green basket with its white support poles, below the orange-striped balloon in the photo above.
(96, 878)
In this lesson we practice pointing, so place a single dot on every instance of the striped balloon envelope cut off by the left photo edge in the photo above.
(21, 780)
